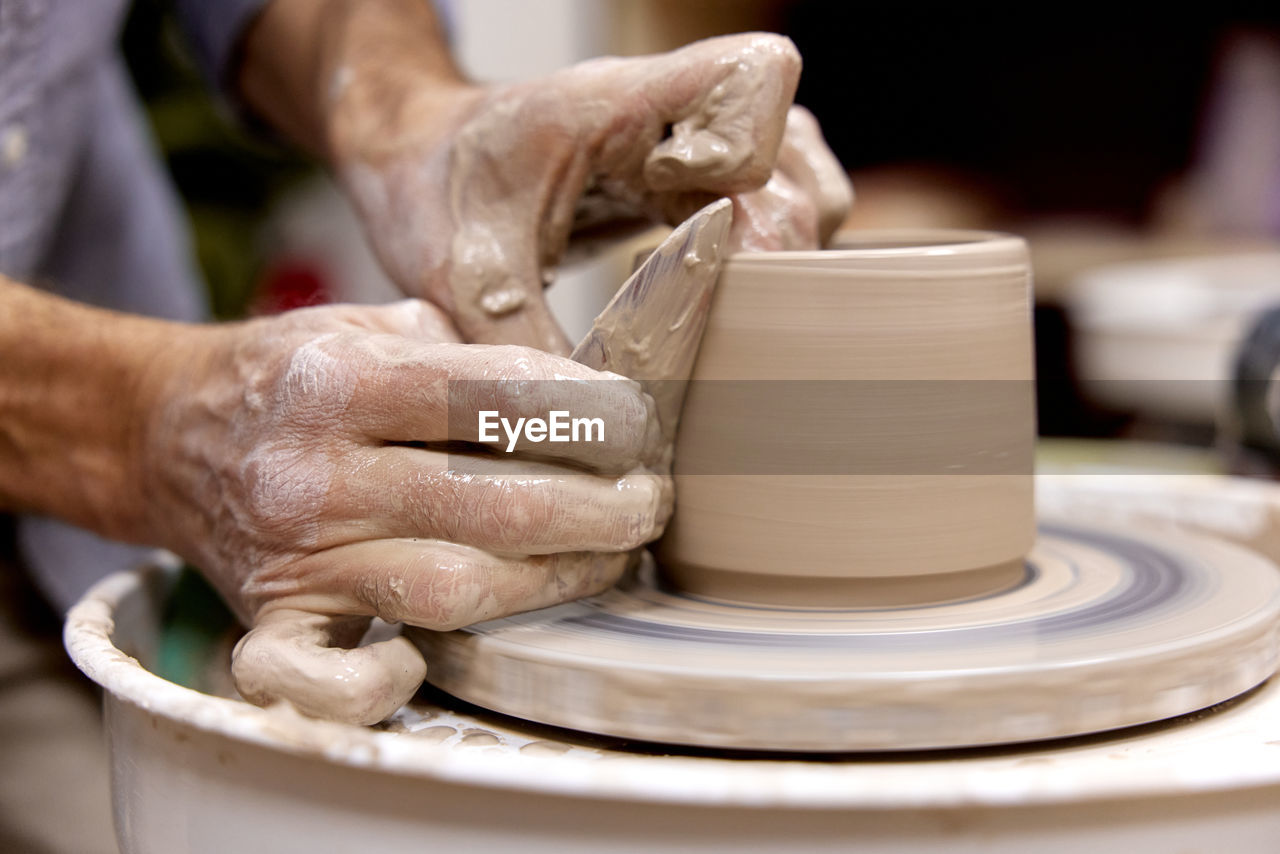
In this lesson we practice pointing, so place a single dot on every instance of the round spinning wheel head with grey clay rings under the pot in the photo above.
(1104, 629)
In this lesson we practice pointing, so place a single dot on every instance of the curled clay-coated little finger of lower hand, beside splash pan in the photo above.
(304, 659)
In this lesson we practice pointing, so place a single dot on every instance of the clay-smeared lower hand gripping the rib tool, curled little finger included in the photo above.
(301, 463)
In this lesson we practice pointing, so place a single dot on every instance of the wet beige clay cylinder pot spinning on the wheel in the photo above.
(861, 424)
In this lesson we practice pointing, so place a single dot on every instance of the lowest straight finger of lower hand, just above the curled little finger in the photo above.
(445, 586)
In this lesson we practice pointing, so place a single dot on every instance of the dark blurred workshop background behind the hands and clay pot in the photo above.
(1139, 154)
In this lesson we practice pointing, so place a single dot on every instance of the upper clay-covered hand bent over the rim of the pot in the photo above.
(469, 195)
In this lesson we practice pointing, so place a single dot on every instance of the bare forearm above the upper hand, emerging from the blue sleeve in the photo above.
(333, 75)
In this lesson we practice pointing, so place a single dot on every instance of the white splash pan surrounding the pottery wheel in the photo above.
(194, 773)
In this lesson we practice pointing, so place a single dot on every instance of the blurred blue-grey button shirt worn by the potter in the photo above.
(85, 208)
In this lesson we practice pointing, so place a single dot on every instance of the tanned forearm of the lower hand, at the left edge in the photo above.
(75, 386)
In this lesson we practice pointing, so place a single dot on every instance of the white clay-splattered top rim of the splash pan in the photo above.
(1162, 764)
